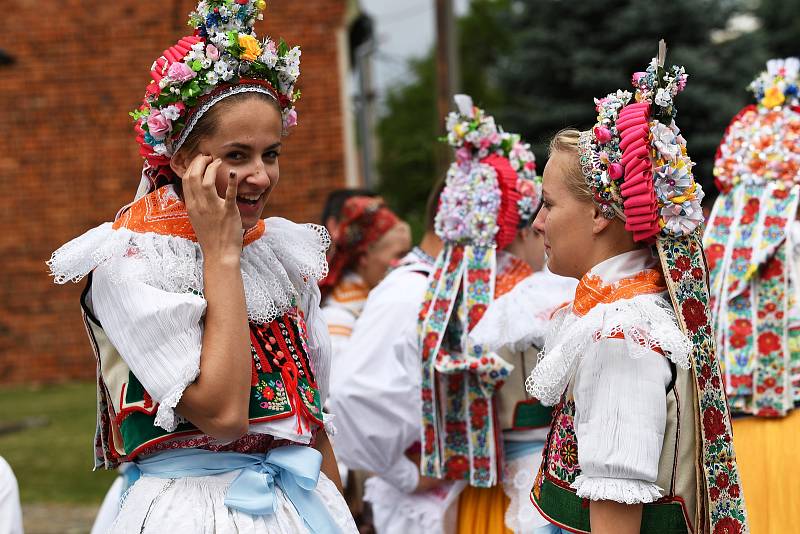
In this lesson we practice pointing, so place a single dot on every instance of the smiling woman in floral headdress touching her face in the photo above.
(212, 356)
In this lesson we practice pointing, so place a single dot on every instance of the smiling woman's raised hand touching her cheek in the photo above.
(215, 220)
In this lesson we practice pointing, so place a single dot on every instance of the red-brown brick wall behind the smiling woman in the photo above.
(68, 159)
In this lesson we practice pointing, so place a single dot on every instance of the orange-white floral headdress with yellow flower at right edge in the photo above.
(762, 142)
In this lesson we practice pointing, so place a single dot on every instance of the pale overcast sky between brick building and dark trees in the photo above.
(404, 30)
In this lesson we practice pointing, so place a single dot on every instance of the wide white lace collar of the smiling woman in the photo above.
(276, 269)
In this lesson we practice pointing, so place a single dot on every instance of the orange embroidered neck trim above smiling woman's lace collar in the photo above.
(163, 212)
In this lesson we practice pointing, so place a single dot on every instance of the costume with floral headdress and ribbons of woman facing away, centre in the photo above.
(475, 430)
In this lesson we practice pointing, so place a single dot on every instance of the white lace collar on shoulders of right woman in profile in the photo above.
(647, 323)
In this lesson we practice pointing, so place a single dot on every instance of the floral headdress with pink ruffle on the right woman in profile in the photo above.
(635, 160)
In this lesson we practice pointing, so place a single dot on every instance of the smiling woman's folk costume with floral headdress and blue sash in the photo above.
(143, 308)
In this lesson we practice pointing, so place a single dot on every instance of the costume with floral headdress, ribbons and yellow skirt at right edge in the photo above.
(752, 248)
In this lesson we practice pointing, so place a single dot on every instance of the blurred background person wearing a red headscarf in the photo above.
(370, 239)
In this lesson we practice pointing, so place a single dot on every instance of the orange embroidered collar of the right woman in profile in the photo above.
(621, 277)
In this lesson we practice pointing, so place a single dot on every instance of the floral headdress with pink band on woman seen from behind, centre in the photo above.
(475, 136)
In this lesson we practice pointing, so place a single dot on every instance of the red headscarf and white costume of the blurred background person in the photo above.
(363, 222)
